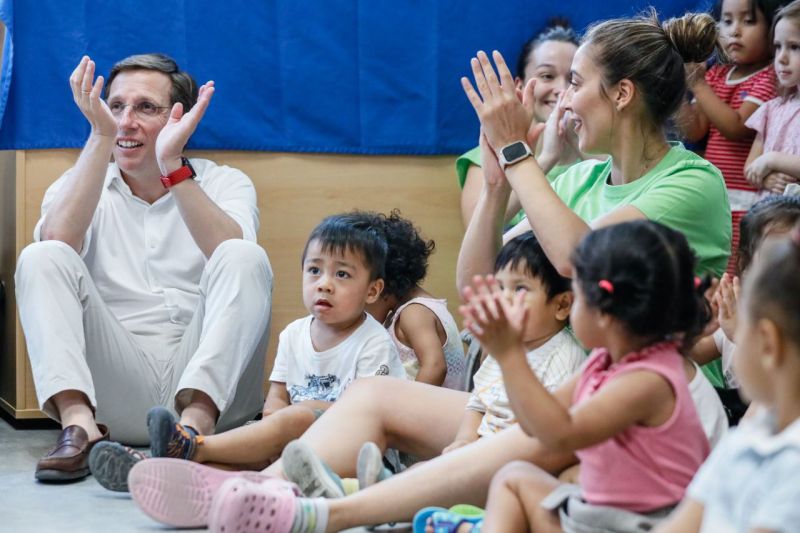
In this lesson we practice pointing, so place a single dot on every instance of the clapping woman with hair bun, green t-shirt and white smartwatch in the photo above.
(623, 90)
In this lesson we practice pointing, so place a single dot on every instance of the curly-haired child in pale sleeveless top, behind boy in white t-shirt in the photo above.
(423, 329)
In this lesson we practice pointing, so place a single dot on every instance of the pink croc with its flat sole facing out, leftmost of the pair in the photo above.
(177, 492)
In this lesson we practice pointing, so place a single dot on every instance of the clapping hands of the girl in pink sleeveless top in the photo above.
(496, 321)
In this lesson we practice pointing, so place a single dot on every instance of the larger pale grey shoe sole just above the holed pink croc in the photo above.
(302, 466)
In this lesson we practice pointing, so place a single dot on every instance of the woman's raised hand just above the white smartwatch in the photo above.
(503, 117)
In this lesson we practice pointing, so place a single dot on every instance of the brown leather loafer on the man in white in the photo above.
(69, 458)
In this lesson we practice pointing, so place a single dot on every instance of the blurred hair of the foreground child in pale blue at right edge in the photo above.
(773, 289)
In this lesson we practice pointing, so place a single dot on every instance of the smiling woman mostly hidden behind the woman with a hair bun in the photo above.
(546, 57)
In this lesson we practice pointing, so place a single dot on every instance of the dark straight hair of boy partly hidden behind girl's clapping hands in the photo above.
(524, 250)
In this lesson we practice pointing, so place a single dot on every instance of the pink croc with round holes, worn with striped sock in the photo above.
(243, 506)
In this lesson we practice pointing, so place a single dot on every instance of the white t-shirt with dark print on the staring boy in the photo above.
(312, 375)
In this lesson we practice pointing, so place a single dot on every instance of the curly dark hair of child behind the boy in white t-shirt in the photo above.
(407, 255)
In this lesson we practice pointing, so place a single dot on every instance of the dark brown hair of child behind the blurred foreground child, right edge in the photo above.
(768, 214)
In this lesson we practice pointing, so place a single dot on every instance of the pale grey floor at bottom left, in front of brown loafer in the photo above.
(29, 506)
